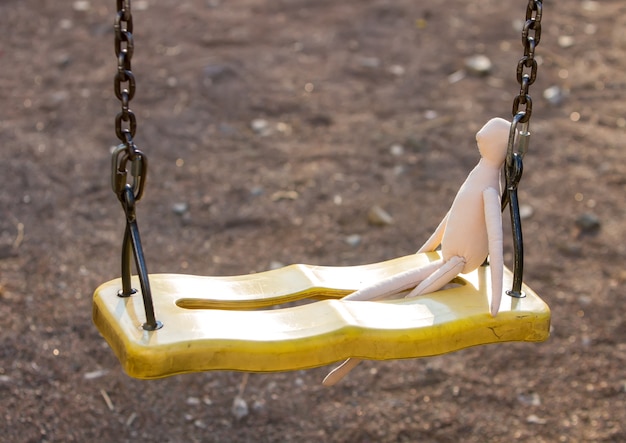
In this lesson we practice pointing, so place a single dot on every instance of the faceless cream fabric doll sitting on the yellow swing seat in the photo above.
(470, 231)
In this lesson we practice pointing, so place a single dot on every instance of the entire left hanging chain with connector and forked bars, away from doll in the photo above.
(127, 153)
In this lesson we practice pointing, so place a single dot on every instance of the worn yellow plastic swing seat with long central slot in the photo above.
(241, 322)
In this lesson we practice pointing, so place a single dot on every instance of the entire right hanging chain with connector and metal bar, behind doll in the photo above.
(522, 110)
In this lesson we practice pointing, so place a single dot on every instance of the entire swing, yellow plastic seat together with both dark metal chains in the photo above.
(251, 323)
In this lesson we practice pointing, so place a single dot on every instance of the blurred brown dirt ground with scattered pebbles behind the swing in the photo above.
(271, 129)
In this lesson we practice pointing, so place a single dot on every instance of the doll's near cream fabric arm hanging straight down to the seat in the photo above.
(493, 220)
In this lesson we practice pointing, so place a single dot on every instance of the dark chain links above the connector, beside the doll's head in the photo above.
(527, 66)
